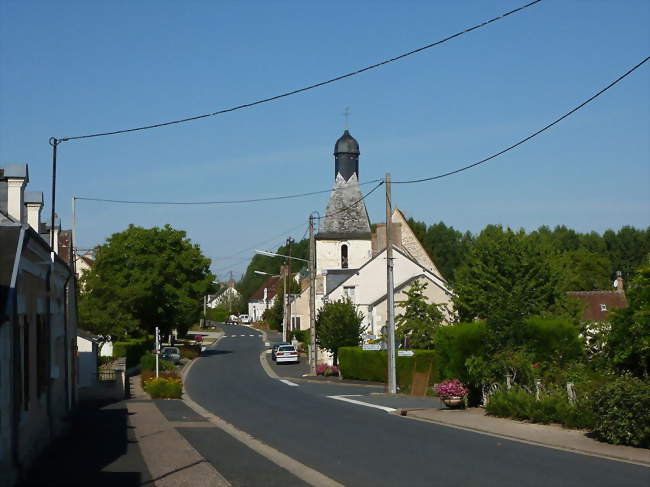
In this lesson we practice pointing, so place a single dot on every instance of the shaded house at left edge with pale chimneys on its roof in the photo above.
(38, 328)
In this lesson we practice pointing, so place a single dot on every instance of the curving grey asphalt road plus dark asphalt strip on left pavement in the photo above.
(363, 446)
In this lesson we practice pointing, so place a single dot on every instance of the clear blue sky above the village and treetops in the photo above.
(75, 67)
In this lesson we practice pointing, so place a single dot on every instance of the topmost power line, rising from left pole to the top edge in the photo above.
(310, 87)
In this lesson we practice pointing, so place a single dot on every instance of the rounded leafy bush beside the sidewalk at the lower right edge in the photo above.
(621, 412)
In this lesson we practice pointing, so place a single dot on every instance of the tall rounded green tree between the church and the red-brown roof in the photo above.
(504, 280)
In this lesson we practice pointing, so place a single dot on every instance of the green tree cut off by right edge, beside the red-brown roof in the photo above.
(629, 338)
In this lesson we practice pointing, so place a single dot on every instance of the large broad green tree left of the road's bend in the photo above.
(156, 276)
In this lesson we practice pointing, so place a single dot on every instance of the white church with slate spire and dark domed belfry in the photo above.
(351, 257)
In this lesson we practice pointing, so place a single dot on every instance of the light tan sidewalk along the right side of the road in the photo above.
(553, 436)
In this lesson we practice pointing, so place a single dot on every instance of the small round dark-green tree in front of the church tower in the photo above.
(338, 324)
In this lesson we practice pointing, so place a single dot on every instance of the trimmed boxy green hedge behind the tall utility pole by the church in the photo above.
(356, 363)
